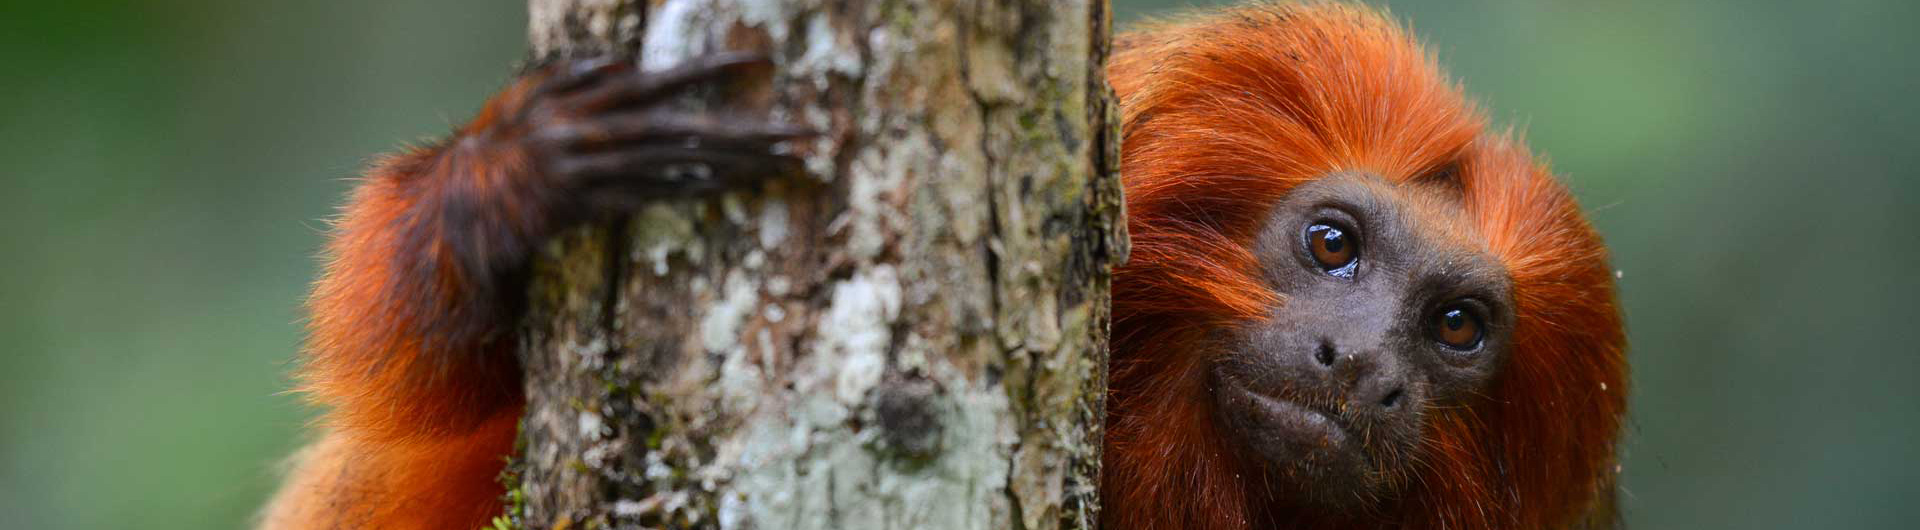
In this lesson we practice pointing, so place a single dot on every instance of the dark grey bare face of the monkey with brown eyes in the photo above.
(1389, 314)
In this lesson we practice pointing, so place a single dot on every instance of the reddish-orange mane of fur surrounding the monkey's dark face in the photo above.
(1228, 112)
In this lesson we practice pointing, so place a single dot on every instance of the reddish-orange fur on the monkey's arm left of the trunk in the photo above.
(421, 387)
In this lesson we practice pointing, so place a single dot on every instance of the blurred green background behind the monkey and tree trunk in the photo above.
(168, 166)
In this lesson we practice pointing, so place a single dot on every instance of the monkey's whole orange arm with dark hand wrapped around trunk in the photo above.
(412, 335)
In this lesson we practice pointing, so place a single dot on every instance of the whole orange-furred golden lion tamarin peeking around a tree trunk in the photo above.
(1349, 302)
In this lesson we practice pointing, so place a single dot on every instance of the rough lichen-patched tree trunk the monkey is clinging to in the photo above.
(913, 335)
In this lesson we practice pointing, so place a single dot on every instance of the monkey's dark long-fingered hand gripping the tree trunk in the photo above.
(598, 137)
